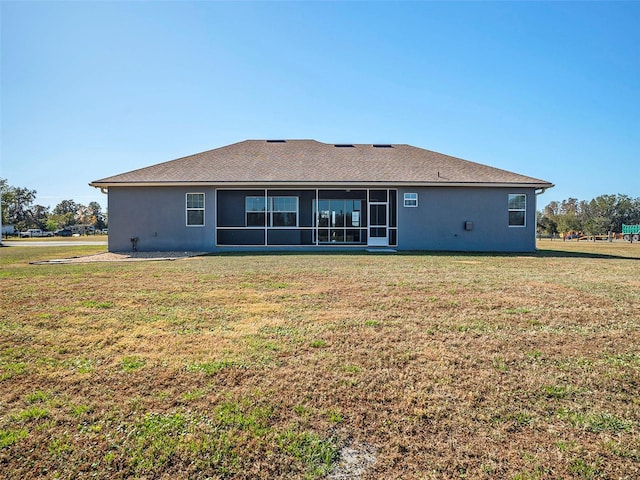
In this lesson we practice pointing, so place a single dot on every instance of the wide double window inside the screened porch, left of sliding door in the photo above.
(271, 211)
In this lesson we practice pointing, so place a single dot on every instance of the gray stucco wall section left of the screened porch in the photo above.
(157, 216)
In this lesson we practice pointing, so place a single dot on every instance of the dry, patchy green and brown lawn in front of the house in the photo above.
(264, 366)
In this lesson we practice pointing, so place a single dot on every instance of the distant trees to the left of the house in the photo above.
(18, 209)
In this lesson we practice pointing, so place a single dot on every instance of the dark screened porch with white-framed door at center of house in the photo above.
(313, 217)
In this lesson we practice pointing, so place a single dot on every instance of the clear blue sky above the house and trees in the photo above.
(93, 89)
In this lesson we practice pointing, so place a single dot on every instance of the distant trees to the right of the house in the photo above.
(600, 215)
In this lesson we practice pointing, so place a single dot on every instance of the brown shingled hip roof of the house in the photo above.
(308, 162)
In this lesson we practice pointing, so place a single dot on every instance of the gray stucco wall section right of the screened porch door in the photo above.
(438, 222)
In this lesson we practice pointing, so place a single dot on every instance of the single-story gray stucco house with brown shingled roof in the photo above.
(304, 194)
